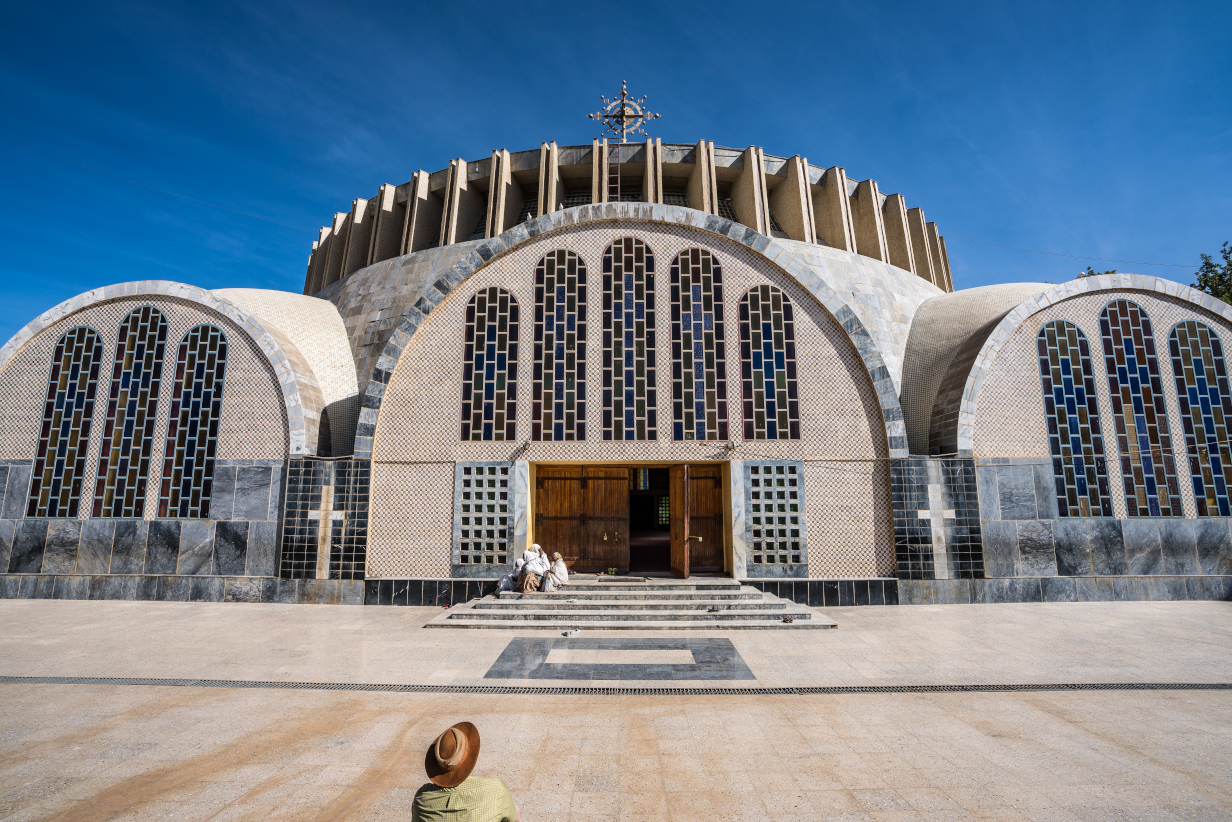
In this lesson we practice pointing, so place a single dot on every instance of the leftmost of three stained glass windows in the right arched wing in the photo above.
(1076, 439)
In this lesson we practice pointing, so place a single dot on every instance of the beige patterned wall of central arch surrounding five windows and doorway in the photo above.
(843, 443)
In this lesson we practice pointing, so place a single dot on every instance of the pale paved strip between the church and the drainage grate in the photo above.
(1052, 643)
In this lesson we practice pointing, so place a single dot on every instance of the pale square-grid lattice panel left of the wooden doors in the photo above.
(484, 524)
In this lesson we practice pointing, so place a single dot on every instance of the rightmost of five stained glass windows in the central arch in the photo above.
(768, 365)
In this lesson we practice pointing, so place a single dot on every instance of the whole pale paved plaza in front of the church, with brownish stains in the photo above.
(91, 752)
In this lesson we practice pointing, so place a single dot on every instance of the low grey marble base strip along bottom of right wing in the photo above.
(1065, 590)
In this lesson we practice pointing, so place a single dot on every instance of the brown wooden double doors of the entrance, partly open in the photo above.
(583, 513)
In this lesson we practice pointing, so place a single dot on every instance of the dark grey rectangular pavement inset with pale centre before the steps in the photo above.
(713, 659)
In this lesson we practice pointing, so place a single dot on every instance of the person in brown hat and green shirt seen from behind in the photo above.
(453, 793)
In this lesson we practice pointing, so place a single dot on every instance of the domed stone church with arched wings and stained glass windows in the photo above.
(657, 358)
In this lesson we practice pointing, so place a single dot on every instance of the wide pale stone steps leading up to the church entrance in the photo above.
(635, 604)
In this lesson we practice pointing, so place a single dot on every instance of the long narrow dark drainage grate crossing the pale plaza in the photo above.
(609, 692)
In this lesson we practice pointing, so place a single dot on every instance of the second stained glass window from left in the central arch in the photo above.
(559, 396)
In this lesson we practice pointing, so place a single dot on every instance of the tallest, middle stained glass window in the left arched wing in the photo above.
(132, 406)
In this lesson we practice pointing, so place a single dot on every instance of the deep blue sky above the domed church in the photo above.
(1100, 130)
